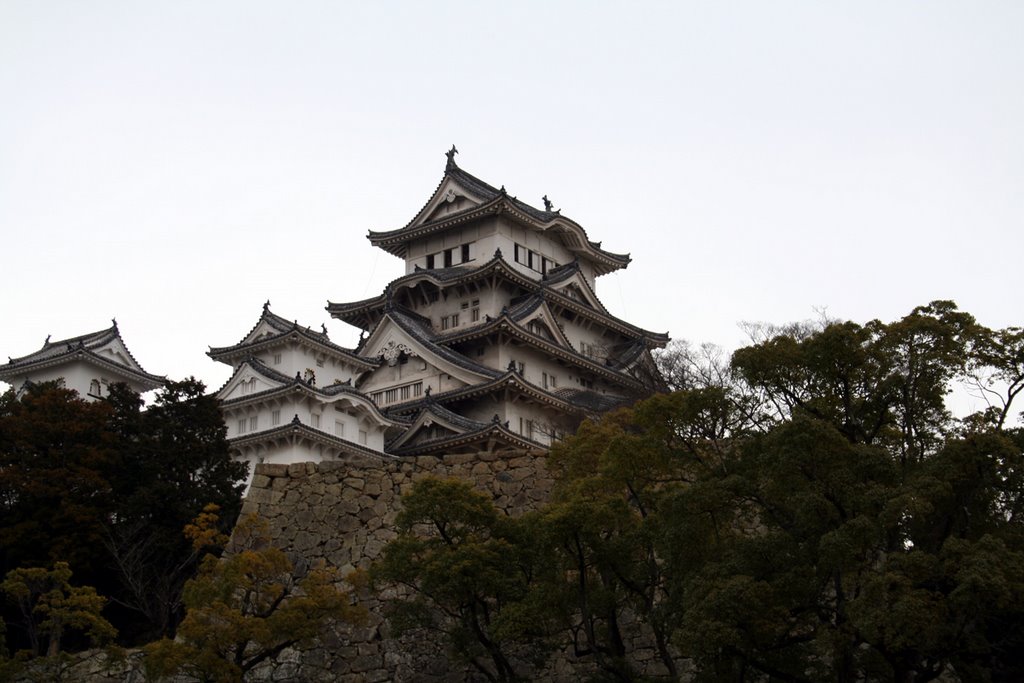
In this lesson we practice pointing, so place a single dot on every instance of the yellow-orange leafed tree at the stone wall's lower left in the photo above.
(248, 608)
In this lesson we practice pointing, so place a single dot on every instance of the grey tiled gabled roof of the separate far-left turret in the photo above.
(88, 348)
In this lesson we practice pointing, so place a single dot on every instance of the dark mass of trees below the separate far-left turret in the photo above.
(108, 488)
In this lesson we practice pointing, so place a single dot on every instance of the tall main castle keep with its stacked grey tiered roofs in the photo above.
(498, 317)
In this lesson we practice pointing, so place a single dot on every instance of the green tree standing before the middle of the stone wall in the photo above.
(470, 575)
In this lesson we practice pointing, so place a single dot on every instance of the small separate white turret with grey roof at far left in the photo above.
(89, 365)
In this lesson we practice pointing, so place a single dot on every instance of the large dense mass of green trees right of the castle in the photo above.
(807, 510)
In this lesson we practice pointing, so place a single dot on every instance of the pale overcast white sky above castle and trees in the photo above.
(176, 164)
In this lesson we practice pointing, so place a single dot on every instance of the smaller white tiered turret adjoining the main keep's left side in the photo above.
(292, 398)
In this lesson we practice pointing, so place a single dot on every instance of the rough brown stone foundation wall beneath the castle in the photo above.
(344, 514)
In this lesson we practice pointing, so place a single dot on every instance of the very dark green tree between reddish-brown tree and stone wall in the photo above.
(174, 462)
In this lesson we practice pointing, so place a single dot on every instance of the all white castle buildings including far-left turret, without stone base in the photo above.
(493, 340)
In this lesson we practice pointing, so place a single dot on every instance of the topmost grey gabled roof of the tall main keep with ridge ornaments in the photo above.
(487, 200)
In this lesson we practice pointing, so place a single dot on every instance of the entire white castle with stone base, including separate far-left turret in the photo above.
(492, 346)
